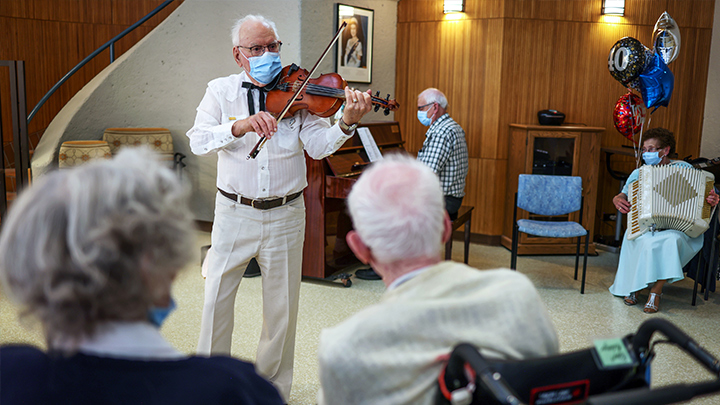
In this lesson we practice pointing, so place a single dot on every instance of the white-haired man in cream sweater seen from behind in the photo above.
(390, 352)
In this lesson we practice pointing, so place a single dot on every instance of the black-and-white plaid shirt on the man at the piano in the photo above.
(445, 151)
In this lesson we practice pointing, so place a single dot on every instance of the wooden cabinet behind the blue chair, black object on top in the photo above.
(554, 150)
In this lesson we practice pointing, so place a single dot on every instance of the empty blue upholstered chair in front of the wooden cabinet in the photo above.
(549, 196)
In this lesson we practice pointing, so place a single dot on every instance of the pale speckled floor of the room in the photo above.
(579, 318)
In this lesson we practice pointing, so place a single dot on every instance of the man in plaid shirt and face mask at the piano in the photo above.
(444, 149)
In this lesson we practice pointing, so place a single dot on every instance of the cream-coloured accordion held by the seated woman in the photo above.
(670, 197)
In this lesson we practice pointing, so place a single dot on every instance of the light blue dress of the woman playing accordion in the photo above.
(653, 256)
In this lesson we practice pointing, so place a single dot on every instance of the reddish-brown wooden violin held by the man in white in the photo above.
(322, 96)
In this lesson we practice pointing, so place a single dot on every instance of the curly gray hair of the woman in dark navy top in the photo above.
(78, 246)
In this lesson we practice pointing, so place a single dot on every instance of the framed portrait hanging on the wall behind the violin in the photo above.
(354, 48)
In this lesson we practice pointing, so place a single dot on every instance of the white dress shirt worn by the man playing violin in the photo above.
(279, 168)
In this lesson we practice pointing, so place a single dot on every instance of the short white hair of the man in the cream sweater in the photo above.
(397, 207)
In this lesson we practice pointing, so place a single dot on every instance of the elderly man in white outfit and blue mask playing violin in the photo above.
(259, 212)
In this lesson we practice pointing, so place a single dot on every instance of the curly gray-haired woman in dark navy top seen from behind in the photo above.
(91, 252)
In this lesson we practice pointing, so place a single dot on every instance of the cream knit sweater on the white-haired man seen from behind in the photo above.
(388, 352)
